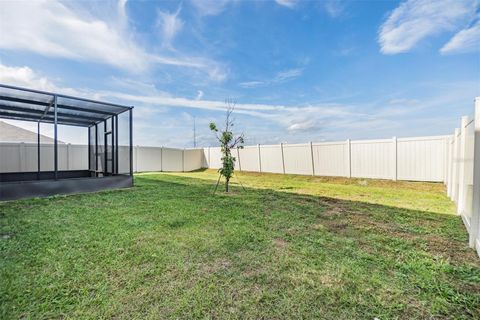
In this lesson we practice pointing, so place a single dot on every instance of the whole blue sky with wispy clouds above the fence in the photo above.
(298, 71)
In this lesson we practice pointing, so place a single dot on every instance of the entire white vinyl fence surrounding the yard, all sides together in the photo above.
(454, 160)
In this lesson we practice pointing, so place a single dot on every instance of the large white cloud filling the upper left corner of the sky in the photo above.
(51, 28)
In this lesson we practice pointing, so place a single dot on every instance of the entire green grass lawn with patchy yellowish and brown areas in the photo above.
(285, 247)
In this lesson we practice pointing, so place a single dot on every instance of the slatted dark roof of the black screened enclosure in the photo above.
(34, 105)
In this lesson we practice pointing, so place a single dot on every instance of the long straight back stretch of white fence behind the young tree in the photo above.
(414, 159)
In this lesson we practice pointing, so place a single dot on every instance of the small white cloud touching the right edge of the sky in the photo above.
(466, 40)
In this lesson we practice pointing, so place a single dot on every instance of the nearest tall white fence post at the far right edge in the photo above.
(474, 240)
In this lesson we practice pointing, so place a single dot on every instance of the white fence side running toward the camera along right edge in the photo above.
(463, 173)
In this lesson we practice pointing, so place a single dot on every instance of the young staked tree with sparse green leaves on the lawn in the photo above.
(227, 143)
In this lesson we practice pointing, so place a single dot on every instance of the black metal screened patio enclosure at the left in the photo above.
(58, 109)
